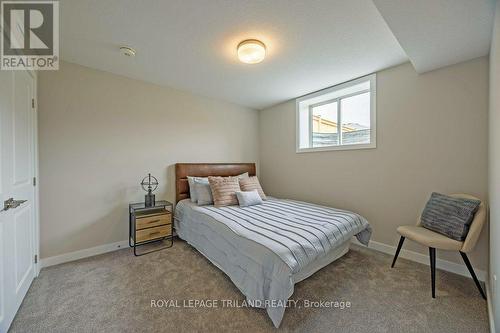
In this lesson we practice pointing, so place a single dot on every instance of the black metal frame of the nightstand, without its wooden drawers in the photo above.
(139, 207)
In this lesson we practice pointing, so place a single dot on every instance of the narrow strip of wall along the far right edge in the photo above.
(494, 166)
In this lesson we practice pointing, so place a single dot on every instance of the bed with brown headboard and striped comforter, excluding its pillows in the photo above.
(264, 249)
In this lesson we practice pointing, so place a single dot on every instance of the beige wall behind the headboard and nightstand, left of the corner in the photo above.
(100, 133)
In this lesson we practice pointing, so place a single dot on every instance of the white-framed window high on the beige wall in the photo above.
(338, 118)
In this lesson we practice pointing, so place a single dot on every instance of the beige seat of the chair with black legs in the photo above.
(429, 238)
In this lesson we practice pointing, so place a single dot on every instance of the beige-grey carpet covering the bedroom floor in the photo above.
(113, 293)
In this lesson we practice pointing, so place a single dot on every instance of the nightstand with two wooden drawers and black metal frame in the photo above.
(150, 224)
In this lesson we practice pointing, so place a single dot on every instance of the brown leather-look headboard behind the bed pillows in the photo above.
(182, 170)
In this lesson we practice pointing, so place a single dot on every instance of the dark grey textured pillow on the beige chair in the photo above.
(449, 216)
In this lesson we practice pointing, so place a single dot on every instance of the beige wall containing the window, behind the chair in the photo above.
(431, 136)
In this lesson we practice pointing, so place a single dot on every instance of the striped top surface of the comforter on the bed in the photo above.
(297, 232)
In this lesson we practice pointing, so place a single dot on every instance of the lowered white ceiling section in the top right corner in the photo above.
(438, 33)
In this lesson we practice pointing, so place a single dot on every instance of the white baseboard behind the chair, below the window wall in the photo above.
(424, 259)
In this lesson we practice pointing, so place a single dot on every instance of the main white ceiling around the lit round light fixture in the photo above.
(191, 44)
